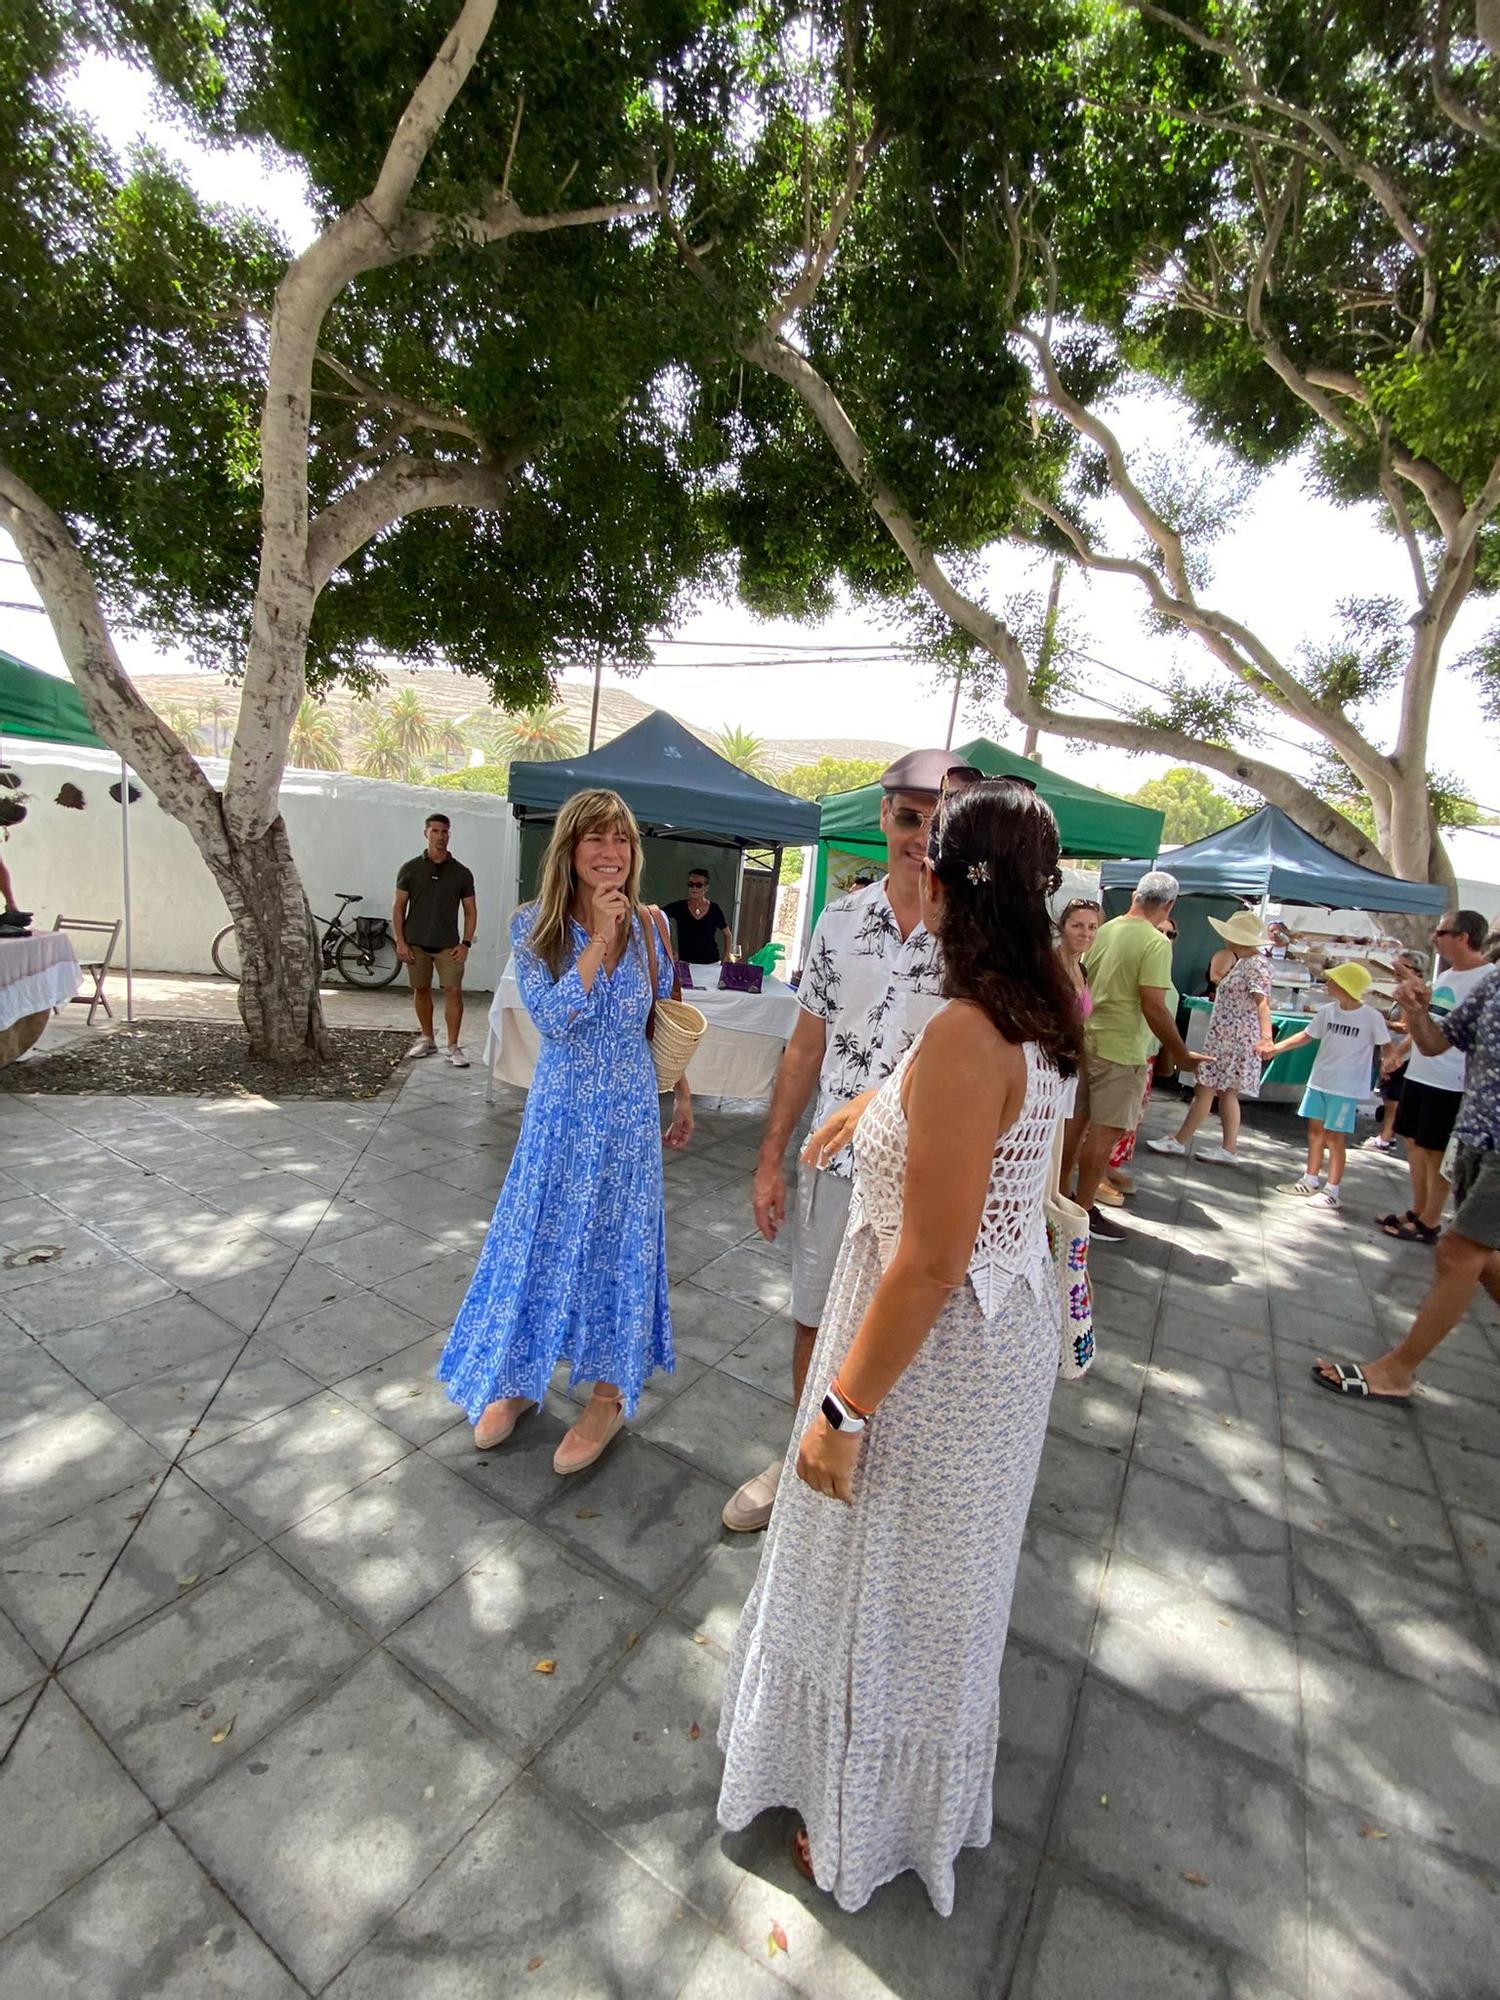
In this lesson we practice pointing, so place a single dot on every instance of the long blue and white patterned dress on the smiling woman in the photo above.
(575, 1263)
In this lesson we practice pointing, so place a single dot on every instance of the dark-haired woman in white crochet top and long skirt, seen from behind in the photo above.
(865, 1681)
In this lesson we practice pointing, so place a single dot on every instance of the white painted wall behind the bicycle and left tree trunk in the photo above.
(347, 833)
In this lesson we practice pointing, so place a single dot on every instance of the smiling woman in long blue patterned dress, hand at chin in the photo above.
(575, 1263)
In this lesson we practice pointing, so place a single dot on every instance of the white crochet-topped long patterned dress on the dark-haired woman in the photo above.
(865, 1679)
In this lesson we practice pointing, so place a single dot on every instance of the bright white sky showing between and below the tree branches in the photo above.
(1281, 569)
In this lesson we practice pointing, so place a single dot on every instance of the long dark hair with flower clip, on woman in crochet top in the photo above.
(997, 857)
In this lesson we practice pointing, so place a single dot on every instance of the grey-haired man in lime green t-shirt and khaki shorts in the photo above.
(1129, 971)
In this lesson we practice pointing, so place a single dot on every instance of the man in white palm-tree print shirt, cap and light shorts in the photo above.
(871, 985)
